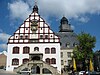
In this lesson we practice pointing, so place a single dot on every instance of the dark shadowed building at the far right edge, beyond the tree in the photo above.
(97, 61)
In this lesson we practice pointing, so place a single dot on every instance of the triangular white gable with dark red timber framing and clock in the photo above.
(34, 29)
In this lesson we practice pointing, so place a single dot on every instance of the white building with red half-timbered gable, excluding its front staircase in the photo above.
(33, 36)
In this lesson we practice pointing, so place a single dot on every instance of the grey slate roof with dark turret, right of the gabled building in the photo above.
(68, 39)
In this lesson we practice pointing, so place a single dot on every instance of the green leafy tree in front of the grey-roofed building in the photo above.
(84, 50)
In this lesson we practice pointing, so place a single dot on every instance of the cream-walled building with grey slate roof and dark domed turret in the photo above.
(68, 40)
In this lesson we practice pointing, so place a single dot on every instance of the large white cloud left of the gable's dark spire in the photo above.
(19, 9)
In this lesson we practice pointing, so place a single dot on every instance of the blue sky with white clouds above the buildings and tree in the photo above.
(83, 15)
